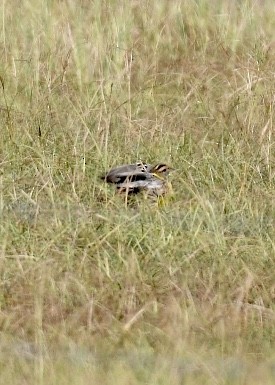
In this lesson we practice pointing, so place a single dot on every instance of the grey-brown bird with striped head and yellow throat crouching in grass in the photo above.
(140, 177)
